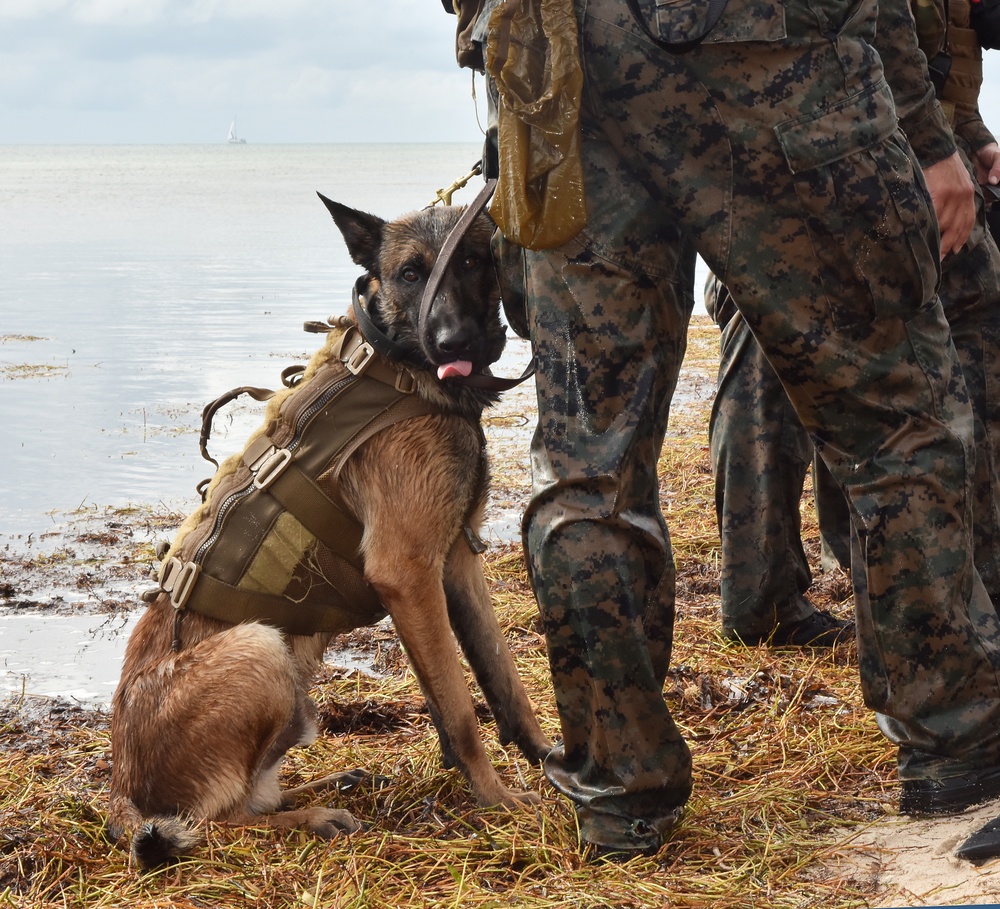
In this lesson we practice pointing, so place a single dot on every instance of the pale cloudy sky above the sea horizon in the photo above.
(179, 71)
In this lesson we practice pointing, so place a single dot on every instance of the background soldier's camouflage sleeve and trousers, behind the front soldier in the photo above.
(760, 450)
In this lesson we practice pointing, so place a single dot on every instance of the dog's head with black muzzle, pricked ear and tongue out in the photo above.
(464, 332)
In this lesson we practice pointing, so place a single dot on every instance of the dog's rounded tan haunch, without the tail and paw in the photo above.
(192, 730)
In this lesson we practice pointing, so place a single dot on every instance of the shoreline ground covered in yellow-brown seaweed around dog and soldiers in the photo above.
(782, 741)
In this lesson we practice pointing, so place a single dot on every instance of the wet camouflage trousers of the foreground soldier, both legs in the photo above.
(775, 150)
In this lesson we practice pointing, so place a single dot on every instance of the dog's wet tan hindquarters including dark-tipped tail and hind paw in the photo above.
(201, 734)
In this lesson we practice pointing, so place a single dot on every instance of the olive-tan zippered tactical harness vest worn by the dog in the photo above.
(271, 543)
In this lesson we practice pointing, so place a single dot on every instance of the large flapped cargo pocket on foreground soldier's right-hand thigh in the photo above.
(868, 217)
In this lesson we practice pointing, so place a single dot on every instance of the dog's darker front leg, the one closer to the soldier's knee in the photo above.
(474, 622)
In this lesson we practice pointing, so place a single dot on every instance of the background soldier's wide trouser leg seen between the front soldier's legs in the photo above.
(760, 455)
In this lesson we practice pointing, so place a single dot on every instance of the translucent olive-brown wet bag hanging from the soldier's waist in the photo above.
(533, 57)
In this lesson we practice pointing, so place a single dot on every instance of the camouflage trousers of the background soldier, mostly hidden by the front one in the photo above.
(761, 453)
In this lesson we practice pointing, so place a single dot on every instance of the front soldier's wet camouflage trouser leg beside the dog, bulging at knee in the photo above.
(608, 316)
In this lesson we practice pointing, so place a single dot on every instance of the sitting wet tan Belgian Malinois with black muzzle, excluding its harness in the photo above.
(206, 709)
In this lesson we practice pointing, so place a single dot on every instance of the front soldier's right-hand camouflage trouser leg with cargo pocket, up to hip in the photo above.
(774, 144)
